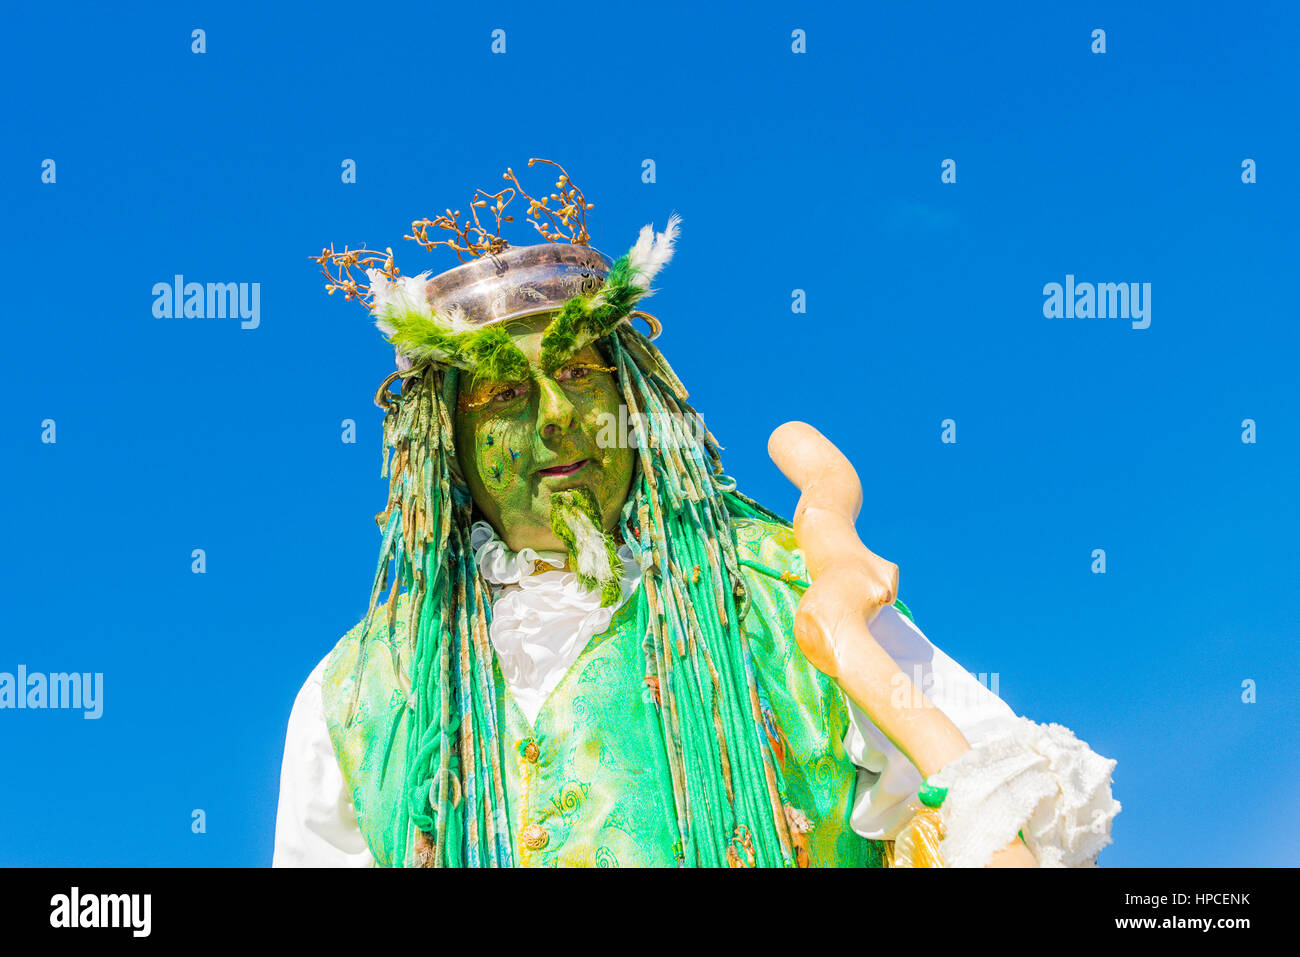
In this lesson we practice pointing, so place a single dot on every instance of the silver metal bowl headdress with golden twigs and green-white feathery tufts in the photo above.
(457, 318)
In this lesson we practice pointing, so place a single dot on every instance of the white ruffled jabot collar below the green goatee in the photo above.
(541, 623)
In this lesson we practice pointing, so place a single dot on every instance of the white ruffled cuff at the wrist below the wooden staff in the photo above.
(1034, 778)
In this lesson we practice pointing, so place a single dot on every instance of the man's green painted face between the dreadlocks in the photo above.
(521, 443)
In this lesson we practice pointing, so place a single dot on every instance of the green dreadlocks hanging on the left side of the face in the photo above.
(454, 808)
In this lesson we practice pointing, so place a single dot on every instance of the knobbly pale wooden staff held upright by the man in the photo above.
(851, 584)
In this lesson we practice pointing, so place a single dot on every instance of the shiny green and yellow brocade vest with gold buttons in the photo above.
(588, 786)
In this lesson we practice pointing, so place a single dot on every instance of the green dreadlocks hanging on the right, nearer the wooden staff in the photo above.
(729, 787)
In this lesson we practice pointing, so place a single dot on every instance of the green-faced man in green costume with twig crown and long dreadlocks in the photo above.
(587, 652)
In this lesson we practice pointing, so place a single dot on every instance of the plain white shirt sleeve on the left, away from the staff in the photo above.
(315, 822)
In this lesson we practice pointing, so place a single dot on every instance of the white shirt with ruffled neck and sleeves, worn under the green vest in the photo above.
(541, 623)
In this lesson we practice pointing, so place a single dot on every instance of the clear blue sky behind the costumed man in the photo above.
(817, 172)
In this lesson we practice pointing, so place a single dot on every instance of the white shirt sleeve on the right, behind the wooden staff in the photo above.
(886, 798)
